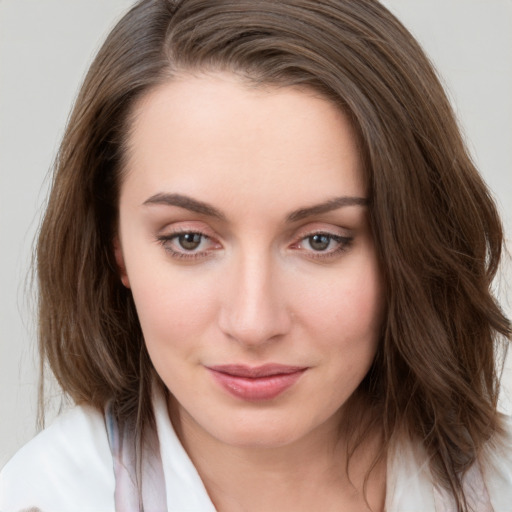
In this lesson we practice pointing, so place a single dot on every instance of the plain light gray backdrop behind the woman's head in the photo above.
(45, 47)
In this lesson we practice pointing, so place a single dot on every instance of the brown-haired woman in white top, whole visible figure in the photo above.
(265, 274)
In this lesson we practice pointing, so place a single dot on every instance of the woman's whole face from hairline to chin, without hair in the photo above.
(245, 241)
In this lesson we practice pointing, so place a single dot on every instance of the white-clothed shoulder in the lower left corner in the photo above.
(68, 466)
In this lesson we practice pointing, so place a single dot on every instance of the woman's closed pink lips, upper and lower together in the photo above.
(258, 382)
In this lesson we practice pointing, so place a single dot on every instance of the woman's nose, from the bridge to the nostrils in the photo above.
(254, 310)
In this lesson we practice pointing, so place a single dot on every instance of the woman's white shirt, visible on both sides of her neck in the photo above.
(68, 467)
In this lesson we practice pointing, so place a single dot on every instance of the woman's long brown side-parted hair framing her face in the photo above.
(436, 228)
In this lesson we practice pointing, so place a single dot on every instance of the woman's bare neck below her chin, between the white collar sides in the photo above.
(305, 475)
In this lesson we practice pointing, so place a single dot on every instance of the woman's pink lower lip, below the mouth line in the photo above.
(257, 389)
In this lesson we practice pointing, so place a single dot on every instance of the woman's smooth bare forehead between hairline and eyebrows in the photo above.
(216, 135)
